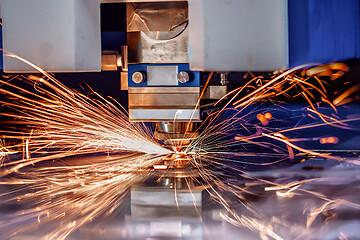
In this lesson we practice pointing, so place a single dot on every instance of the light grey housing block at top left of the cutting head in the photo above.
(58, 36)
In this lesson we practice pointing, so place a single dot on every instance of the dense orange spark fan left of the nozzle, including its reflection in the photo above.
(58, 123)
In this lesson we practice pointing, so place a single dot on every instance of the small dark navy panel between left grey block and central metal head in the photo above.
(113, 40)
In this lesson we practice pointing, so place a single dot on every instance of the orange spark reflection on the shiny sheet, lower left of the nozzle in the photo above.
(67, 197)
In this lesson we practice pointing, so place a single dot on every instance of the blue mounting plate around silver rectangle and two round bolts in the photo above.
(194, 81)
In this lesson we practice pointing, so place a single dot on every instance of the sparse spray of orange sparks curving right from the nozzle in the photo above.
(235, 138)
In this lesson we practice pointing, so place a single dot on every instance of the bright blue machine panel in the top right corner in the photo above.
(323, 30)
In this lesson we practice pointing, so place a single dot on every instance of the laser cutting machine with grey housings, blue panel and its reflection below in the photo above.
(155, 57)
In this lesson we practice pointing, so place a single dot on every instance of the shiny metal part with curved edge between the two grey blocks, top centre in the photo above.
(157, 32)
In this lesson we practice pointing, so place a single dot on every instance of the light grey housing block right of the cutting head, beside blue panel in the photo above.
(238, 35)
